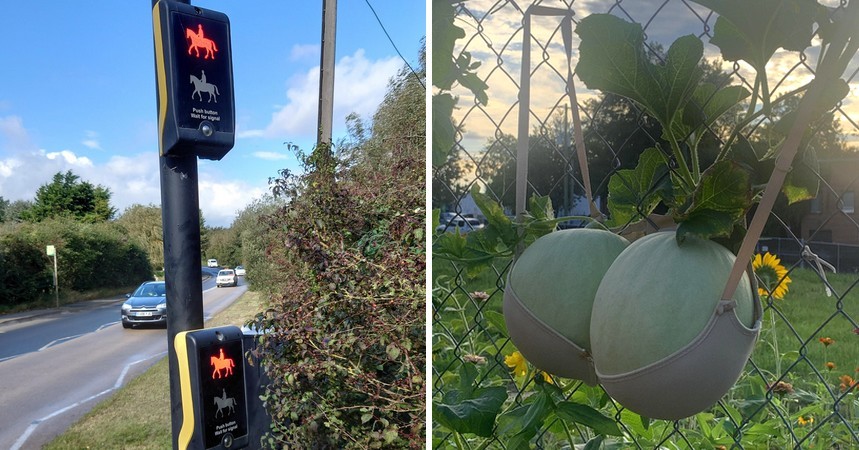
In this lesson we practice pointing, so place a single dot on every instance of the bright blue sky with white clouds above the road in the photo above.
(77, 92)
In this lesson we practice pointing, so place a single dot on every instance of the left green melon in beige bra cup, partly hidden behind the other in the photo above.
(549, 295)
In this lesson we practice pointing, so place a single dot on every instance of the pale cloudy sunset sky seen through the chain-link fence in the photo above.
(499, 49)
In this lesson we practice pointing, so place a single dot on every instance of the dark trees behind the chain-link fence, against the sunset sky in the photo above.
(616, 132)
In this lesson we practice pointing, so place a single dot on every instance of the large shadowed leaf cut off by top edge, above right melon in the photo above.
(753, 30)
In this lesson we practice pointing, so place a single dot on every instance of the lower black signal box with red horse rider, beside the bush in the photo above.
(212, 382)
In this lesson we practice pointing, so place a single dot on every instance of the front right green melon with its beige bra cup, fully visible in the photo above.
(663, 344)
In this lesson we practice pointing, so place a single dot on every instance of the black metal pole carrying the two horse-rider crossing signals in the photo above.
(180, 217)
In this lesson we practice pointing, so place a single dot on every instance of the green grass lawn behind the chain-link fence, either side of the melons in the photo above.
(791, 328)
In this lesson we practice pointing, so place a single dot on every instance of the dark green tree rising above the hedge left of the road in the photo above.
(66, 196)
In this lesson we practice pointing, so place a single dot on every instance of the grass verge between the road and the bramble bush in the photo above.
(138, 415)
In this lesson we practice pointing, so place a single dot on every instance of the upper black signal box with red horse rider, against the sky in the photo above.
(194, 71)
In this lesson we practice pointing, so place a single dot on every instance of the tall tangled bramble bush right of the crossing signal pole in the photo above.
(345, 335)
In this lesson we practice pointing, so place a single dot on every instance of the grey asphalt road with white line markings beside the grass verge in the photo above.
(54, 367)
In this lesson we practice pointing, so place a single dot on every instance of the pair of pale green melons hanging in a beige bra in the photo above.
(586, 304)
